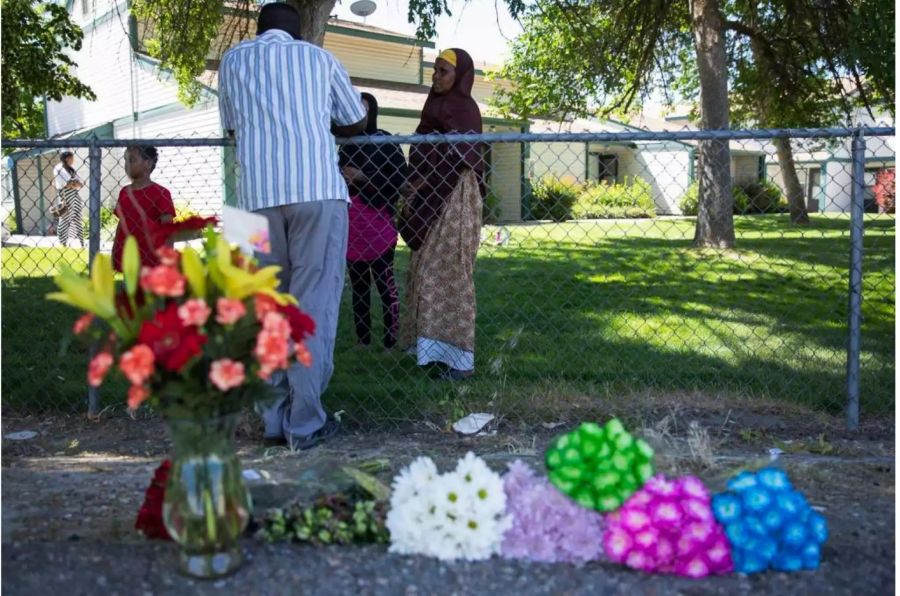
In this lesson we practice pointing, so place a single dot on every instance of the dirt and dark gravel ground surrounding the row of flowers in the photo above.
(70, 496)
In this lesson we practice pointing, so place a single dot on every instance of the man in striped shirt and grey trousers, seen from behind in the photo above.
(284, 100)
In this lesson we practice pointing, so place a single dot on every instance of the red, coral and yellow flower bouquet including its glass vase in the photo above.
(197, 337)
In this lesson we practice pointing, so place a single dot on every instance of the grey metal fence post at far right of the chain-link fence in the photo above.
(855, 290)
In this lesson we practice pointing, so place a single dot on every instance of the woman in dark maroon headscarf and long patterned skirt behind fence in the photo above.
(441, 223)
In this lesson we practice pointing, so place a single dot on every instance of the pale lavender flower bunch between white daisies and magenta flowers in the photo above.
(547, 526)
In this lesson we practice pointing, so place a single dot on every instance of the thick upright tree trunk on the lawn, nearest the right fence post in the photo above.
(715, 223)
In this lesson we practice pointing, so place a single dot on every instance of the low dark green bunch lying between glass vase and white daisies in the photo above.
(331, 519)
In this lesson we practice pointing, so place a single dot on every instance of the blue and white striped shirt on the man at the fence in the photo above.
(280, 96)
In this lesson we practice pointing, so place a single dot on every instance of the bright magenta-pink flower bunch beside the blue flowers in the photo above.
(668, 527)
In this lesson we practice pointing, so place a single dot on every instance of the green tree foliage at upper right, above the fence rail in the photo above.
(583, 58)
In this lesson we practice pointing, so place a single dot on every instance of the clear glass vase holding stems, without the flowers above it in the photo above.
(207, 506)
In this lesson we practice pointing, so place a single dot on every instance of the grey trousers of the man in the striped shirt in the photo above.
(309, 243)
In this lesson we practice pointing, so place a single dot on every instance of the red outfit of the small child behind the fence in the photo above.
(139, 213)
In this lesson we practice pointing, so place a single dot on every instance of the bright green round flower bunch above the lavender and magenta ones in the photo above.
(599, 467)
